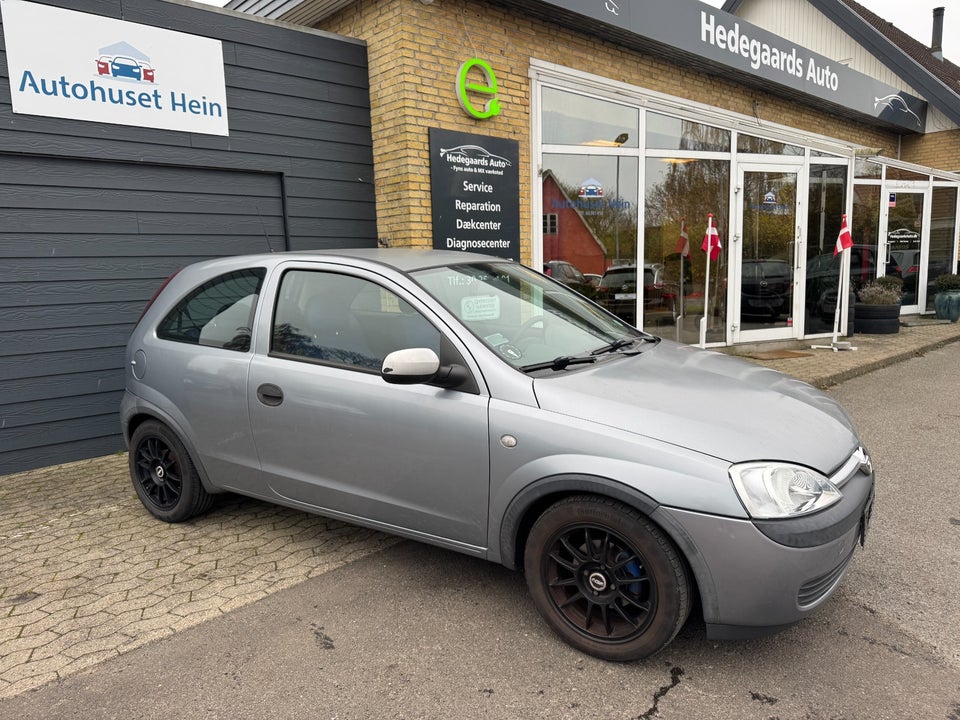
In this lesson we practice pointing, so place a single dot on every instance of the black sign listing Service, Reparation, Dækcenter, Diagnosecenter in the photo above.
(475, 185)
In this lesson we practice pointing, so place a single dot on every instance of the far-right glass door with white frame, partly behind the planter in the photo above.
(904, 240)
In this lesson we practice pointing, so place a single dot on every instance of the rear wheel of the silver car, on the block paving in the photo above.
(164, 476)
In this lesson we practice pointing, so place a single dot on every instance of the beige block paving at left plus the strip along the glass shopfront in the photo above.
(87, 575)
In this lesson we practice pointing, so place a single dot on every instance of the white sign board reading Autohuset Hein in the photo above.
(77, 66)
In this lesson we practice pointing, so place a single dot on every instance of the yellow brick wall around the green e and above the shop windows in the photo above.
(415, 51)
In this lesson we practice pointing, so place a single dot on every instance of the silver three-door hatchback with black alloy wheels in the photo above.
(472, 403)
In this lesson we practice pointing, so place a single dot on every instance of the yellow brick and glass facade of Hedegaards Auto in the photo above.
(656, 117)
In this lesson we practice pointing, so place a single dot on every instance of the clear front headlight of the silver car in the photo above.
(779, 490)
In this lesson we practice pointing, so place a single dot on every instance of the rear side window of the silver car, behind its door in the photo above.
(219, 313)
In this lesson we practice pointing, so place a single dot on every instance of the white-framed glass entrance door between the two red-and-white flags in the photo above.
(765, 257)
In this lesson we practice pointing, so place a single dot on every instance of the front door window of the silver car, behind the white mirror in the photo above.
(345, 320)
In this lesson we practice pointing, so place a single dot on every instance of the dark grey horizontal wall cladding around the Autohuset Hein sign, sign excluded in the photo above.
(94, 216)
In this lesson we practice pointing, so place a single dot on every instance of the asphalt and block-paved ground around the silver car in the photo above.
(105, 612)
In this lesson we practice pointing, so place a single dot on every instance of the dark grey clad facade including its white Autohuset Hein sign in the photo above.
(101, 200)
